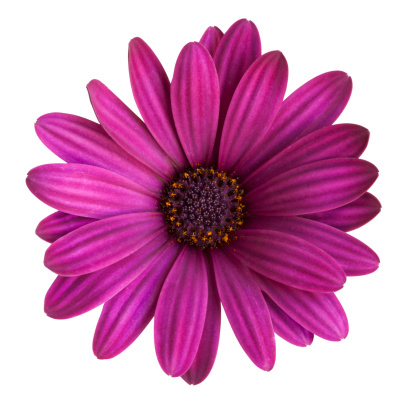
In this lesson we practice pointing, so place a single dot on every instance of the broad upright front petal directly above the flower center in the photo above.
(195, 100)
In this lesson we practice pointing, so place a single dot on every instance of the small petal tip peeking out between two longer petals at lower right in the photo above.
(286, 327)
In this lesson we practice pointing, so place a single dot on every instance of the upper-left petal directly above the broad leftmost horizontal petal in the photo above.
(80, 141)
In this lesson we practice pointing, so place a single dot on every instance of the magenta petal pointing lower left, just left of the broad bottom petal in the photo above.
(126, 315)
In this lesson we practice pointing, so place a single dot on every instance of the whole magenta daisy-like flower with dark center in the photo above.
(227, 194)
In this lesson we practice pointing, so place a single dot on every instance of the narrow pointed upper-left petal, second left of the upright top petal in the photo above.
(128, 130)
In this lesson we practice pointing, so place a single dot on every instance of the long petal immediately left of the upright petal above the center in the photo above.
(151, 89)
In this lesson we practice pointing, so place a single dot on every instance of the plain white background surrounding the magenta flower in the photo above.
(50, 50)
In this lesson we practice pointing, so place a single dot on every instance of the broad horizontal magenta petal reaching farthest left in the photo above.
(87, 191)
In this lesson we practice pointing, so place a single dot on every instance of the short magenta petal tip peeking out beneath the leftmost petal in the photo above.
(58, 224)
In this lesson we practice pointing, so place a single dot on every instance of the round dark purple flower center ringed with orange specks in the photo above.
(203, 207)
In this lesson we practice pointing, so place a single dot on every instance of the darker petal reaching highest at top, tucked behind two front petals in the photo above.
(238, 49)
